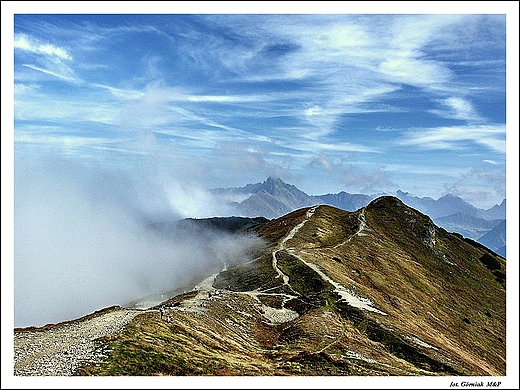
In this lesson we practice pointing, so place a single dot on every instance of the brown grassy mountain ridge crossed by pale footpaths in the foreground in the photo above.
(379, 291)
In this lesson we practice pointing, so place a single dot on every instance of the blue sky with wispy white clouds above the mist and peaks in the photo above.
(329, 102)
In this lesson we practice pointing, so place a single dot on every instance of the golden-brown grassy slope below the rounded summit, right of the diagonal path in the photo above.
(444, 294)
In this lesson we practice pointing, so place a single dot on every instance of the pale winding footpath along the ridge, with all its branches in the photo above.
(60, 350)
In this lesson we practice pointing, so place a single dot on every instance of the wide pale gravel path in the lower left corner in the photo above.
(62, 349)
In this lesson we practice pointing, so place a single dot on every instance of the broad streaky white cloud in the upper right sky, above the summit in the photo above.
(353, 62)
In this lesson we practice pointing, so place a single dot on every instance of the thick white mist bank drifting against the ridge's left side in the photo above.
(83, 241)
